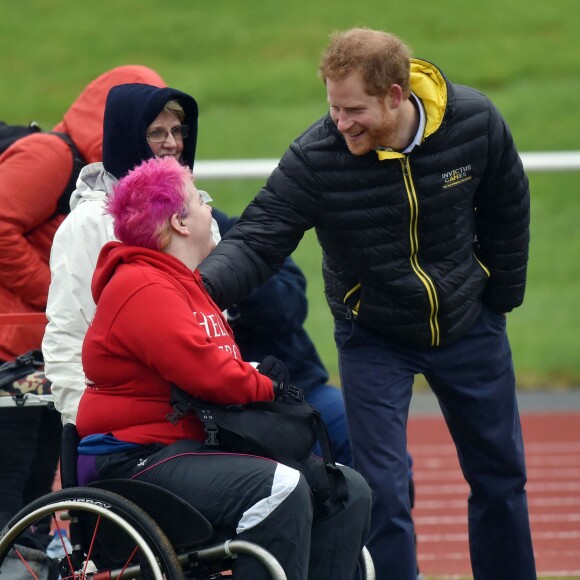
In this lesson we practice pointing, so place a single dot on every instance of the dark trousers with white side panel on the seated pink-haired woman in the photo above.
(261, 501)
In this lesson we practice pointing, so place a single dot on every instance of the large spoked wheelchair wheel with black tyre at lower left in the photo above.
(110, 537)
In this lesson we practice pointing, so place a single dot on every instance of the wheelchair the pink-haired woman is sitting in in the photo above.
(126, 529)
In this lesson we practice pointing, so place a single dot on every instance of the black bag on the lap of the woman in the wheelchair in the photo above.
(285, 430)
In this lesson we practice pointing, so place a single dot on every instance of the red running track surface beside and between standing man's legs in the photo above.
(552, 444)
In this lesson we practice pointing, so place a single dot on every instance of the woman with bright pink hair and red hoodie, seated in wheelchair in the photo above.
(154, 326)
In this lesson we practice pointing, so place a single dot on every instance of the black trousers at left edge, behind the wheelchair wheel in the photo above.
(29, 453)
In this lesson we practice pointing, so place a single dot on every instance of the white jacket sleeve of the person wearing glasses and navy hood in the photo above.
(70, 306)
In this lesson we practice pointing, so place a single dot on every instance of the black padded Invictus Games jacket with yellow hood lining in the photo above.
(413, 245)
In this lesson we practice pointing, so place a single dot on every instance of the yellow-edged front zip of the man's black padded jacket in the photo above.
(414, 239)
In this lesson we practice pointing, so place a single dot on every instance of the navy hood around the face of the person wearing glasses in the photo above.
(129, 110)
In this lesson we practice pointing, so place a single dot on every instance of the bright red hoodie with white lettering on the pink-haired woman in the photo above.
(156, 325)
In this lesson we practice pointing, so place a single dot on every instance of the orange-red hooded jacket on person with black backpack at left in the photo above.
(33, 174)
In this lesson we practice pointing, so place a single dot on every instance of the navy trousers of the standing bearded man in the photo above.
(474, 382)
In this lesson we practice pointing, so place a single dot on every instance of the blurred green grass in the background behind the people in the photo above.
(252, 67)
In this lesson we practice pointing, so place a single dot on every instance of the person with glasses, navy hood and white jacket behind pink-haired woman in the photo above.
(141, 121)
